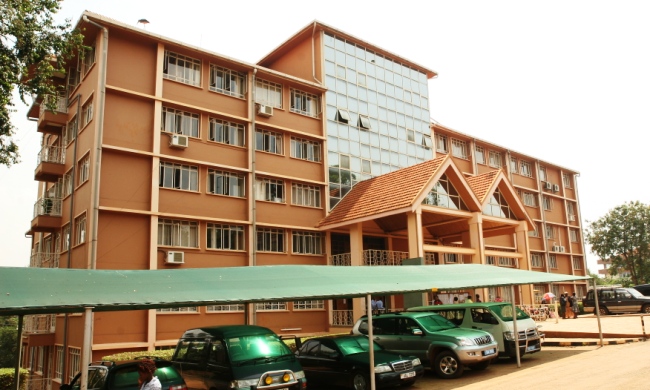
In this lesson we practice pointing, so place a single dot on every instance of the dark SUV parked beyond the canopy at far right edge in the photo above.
(617, 300)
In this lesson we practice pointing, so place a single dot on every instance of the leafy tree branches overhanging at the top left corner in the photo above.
(32, 48)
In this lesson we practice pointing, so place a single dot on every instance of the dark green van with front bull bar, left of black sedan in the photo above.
(237, 357)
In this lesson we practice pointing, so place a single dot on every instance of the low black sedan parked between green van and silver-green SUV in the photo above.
(344, 360)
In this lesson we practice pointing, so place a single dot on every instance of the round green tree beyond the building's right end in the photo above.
(622, 237)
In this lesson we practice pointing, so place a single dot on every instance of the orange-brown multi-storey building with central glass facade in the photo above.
(165, 155)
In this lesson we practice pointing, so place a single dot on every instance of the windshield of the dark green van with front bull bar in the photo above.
(250, 348)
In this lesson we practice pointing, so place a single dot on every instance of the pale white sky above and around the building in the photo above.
(567, 82)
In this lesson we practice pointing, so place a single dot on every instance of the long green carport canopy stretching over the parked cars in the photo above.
(53, 290)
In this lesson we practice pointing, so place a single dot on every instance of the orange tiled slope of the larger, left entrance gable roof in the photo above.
(392, 191)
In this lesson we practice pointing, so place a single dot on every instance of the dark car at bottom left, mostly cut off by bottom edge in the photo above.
(124, 376)
